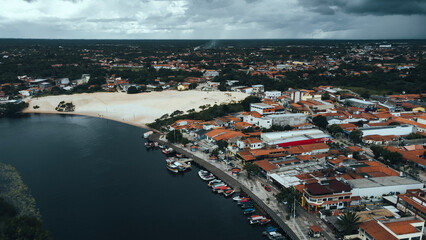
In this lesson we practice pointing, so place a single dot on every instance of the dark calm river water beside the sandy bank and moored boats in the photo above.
(93, 179)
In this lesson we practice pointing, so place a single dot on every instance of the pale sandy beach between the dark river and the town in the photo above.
(134, 109)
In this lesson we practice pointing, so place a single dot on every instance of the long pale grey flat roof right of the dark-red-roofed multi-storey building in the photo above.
(381, 182)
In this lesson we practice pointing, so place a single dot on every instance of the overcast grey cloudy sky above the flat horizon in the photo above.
(213, 19)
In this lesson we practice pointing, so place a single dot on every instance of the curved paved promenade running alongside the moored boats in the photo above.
(236, 185)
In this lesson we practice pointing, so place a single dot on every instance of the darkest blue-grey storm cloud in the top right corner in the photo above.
(367, 7)
